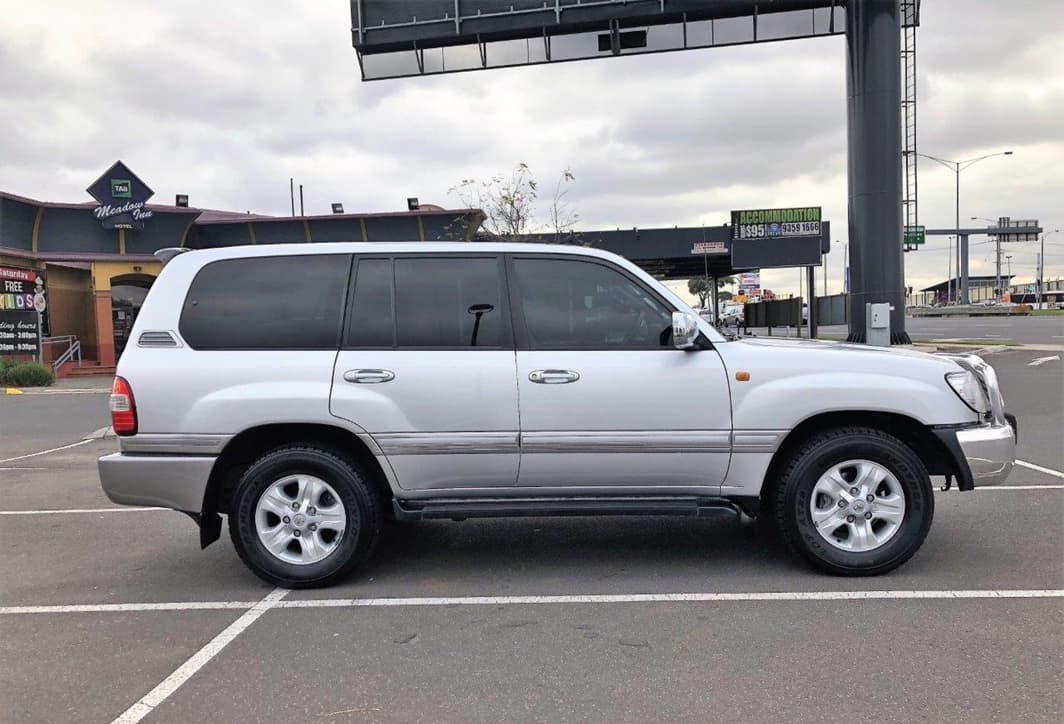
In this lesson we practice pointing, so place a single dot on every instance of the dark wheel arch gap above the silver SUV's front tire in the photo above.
(937, 458)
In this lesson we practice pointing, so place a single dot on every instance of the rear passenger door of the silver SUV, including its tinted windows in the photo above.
(427, 369)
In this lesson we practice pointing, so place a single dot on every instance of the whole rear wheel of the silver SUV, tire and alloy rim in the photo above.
(305, 517)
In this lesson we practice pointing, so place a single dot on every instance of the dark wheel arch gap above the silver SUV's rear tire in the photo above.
(253, 443)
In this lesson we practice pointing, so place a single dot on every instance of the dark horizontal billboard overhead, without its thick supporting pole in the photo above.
(421, 38)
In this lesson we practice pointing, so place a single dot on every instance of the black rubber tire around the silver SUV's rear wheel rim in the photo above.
(351, 482)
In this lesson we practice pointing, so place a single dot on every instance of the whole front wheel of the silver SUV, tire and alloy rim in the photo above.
(855, 502)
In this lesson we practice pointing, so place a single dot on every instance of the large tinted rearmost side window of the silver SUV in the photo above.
(267, 303)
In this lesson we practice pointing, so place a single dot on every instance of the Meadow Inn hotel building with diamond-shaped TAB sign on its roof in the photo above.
(82, 270)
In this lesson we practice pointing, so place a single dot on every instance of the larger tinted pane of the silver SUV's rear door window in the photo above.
(450, 303)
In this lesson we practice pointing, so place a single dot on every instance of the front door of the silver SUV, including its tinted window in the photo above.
(606, 400)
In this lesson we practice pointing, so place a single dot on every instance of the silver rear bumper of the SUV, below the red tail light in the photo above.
(169, 482)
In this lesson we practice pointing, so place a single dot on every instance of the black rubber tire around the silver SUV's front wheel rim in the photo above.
(791, 503)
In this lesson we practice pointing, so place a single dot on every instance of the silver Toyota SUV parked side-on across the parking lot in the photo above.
(311, 393)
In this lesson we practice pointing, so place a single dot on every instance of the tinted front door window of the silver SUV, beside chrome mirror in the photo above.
(571, 304)
